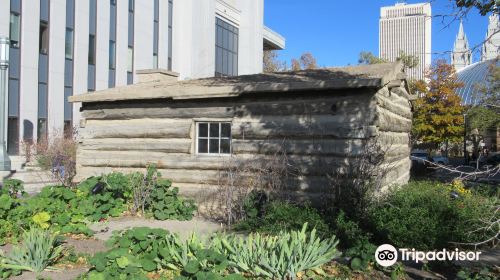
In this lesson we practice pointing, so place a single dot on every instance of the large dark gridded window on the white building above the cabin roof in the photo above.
(226, 49)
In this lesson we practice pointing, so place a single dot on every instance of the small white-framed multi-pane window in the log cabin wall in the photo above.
(213, 138)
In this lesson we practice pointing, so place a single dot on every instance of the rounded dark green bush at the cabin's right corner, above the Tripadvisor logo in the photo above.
(424, 215)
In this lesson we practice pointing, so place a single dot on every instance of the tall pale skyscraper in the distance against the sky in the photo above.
(406, 28)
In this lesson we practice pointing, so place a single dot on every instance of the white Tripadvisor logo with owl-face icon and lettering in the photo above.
(386, 255)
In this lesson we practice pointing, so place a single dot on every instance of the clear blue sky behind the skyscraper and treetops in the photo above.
(336, 31)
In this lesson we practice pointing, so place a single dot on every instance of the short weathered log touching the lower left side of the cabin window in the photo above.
(138, 144)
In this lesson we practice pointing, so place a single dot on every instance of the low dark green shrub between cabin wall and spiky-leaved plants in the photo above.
(280, 216)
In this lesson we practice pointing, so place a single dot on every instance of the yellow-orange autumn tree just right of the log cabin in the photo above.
(438, 114)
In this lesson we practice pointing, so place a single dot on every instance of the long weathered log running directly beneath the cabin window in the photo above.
(298, 165)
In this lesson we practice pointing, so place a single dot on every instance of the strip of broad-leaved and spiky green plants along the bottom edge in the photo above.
(140, 252)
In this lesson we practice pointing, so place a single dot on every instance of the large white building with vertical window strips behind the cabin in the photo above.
(67, 47)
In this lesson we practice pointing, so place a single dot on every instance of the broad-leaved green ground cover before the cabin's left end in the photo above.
(69, 210)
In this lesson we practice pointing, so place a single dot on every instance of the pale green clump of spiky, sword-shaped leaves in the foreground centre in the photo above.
(281, 256)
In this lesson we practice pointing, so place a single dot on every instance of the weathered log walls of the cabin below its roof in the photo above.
(321, 131)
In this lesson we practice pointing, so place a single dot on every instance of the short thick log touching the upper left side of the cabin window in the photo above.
(137, 128)
